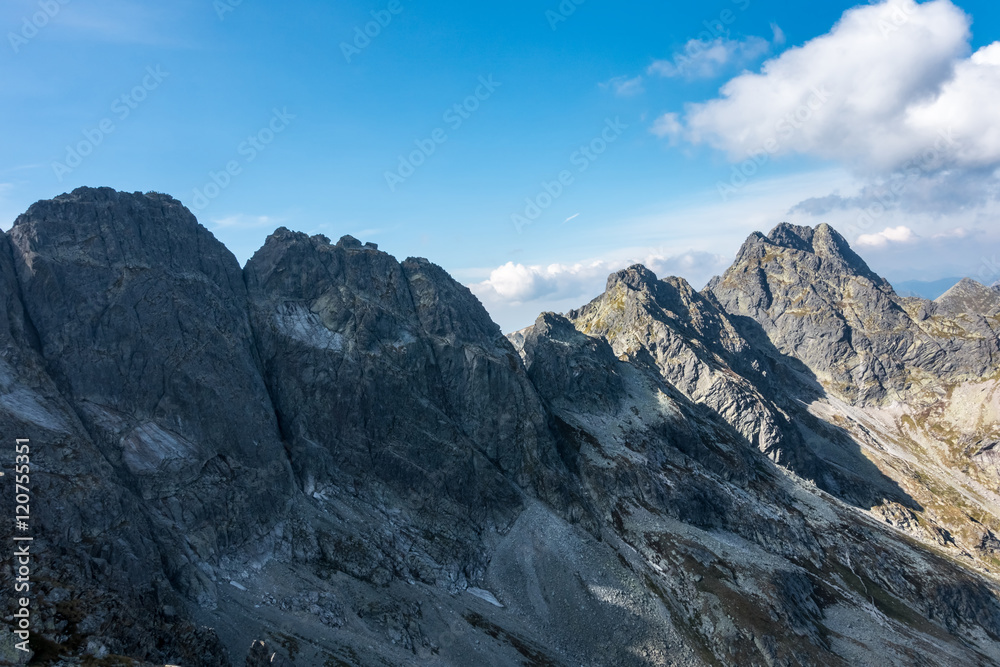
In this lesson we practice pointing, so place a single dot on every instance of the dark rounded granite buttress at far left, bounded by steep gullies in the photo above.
(142, 320)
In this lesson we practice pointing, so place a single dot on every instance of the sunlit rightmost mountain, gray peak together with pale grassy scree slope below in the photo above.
(912, 382)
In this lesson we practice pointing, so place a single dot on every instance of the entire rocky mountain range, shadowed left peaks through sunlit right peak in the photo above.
(330, 457)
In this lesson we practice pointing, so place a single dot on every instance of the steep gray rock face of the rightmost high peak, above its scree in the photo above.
(820, 303)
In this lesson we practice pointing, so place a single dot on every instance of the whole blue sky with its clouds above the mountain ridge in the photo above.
(667, 98)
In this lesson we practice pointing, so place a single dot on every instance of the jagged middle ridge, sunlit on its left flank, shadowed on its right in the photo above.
(728, 363)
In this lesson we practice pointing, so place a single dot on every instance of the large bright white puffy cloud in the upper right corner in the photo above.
(891, 86)
